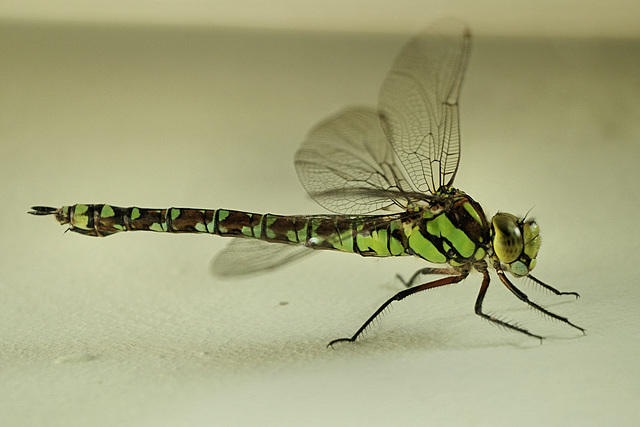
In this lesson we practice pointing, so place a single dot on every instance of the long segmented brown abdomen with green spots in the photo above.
(367, 236)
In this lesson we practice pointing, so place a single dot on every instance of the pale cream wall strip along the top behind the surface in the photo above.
(547, 17)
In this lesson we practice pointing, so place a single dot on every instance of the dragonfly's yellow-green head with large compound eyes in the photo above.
(515, 242)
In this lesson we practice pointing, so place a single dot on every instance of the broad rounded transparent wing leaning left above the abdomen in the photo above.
(347, 165)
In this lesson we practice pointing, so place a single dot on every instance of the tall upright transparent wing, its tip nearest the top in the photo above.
(418, 104)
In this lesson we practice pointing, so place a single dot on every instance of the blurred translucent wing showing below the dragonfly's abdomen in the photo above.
(246, 256)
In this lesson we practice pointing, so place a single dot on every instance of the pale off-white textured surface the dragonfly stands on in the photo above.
(132, 330)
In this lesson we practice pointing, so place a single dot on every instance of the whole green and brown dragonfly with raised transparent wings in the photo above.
(387, 176)
